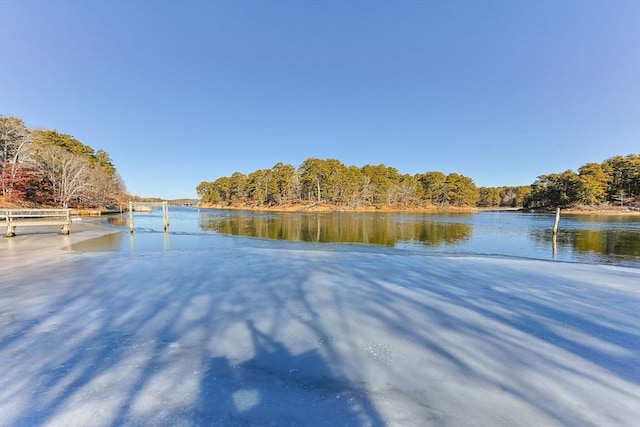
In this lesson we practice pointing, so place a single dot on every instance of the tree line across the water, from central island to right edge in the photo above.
(329, 181)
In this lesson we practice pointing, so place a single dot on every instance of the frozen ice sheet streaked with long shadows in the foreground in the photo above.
(266, 336)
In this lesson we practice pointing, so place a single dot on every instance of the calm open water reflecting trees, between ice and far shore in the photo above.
(592, 239)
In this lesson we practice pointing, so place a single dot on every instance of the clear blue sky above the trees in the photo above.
(179, 92)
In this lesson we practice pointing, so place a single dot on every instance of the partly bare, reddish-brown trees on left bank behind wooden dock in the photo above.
(43, 167)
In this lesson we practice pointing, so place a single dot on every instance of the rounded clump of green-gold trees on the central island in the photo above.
(330, 181)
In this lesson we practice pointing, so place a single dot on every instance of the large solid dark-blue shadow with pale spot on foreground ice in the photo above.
(276, 387)
